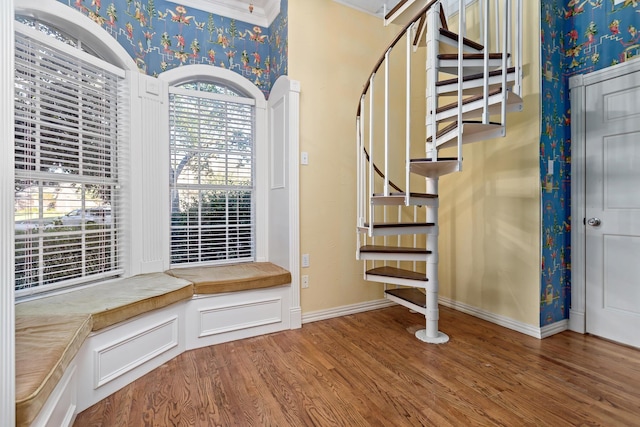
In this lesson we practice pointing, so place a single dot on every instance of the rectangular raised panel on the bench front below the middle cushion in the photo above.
(122, 356)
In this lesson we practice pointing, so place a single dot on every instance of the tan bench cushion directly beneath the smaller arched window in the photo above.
(233, 278)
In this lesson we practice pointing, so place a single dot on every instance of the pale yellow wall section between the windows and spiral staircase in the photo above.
(331, 51)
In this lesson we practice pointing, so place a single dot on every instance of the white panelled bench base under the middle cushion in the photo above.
(116, 356)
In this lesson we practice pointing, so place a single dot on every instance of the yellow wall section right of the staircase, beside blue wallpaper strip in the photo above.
(490, 212)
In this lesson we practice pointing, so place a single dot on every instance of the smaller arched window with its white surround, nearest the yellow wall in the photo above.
(218, 175)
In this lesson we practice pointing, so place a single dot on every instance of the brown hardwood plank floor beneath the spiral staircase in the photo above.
(369, 370)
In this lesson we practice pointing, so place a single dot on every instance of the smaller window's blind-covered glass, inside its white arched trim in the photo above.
(212, 174)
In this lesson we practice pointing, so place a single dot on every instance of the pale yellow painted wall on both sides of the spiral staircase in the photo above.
(489, 214)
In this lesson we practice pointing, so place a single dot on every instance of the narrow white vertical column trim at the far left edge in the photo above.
(7, 304)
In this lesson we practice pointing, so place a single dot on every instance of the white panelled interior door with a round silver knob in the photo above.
(612, 205)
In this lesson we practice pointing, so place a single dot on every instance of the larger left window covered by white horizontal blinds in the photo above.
(68, 132)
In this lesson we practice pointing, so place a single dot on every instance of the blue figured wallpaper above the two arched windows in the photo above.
(160, 35)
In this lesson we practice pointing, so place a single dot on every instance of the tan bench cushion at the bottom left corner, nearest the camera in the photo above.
(45, 346)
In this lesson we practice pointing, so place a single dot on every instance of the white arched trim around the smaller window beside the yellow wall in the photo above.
(188, 73)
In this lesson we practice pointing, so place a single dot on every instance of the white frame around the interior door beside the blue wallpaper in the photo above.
(578, 87)
